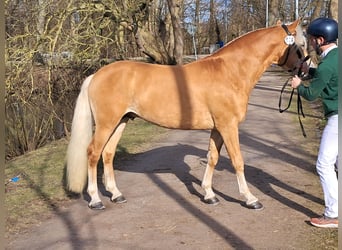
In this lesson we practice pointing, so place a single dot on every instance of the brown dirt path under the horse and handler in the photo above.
(162, 186)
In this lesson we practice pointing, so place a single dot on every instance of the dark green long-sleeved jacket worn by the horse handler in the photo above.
(324, 83)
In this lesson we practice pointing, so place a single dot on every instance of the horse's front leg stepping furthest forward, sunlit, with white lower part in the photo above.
(230, 136)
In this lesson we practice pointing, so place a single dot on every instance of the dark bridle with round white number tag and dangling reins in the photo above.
(300, 111)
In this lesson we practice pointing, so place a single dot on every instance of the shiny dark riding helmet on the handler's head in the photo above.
(324, 27)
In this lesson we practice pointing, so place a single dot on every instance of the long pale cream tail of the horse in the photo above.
(81, 135)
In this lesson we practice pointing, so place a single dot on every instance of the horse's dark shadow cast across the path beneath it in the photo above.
(171, 160)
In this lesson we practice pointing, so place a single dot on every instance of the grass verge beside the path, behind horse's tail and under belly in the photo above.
(40, 188)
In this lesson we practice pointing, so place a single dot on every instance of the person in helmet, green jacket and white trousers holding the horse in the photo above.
(323, 34)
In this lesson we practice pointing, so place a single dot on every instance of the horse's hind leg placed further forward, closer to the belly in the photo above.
(108, 157)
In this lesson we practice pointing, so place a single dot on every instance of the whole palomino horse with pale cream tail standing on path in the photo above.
(209, 94)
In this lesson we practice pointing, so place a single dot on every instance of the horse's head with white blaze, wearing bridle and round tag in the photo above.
(295, 51)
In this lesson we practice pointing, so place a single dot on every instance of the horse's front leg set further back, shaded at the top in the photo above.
(215, 145)
